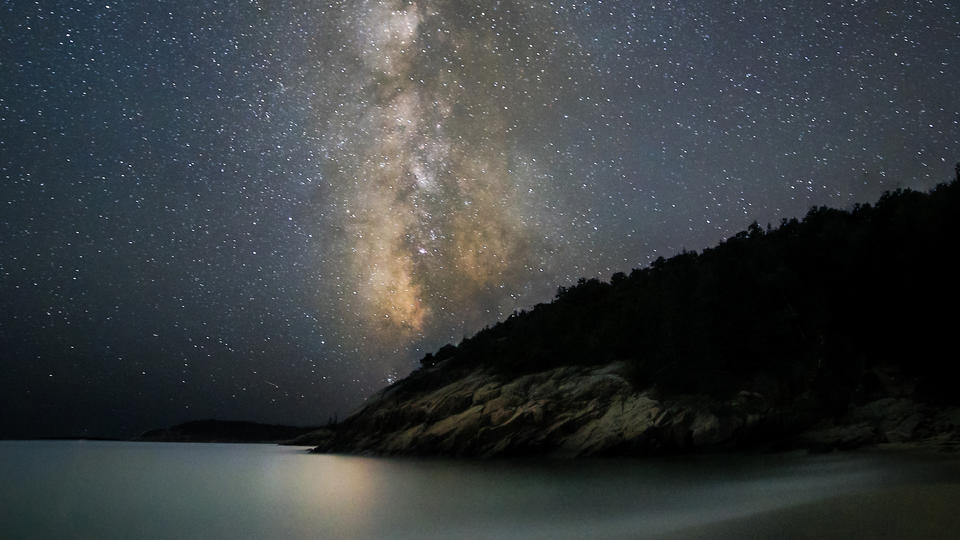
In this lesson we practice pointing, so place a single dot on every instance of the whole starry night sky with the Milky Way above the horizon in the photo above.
(268, 210)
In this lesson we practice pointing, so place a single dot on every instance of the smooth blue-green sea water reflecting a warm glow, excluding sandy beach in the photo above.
(67, 489)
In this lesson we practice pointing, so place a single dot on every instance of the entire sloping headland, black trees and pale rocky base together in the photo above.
(834, 331)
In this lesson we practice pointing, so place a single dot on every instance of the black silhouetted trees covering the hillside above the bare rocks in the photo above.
(810, 307)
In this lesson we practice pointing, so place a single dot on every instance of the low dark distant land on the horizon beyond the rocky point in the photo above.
(222, 431)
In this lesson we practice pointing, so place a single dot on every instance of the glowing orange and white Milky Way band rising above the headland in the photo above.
(439, 209)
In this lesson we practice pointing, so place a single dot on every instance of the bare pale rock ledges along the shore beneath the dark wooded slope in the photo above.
(577, 411)
